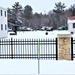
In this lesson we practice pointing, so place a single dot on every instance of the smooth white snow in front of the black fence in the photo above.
(30, 67)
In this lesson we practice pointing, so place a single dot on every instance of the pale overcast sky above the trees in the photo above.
(39, 6)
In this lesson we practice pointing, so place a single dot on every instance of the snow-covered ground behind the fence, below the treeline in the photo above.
(38, 34)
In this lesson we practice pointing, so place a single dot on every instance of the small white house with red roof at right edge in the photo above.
(71, 24)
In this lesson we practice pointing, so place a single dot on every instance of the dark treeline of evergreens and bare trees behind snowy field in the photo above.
(19, 16)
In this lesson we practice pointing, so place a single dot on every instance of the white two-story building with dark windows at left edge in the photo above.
(3, 22)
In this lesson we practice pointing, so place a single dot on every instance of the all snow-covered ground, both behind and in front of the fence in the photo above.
(27, 66)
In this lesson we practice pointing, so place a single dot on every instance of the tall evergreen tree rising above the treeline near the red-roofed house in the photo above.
(59, 11)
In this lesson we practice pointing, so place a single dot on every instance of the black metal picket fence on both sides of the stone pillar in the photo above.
(31, 49)
